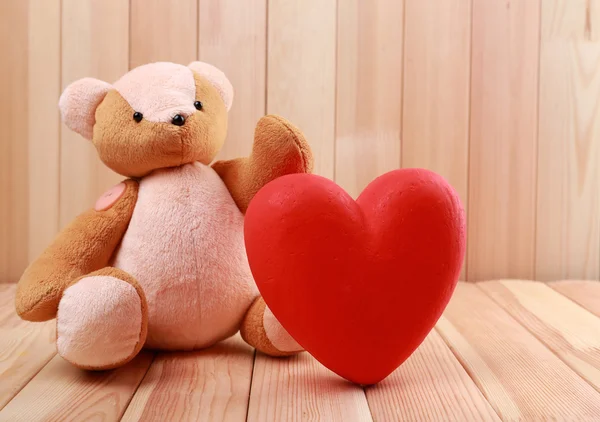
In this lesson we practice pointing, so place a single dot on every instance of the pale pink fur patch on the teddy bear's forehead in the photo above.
(159, 90)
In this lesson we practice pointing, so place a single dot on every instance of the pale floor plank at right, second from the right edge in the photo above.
(573, 333)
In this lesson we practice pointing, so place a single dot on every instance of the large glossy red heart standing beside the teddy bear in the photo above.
(359, 284)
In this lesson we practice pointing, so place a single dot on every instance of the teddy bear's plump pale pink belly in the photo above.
(185, 247)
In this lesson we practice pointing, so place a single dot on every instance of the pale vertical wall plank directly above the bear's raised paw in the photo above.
(301, 71)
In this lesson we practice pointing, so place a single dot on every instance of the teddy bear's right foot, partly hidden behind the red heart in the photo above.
(261, 330)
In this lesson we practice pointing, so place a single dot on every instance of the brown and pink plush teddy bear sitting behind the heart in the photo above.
(159, 262)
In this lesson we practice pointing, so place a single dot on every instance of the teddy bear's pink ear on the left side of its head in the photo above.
(78, 104)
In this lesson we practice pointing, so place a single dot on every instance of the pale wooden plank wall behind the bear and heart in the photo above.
(502, 97)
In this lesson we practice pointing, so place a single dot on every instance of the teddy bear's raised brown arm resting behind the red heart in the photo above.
(279, 149)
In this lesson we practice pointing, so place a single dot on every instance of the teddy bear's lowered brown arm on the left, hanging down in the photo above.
(85, 245)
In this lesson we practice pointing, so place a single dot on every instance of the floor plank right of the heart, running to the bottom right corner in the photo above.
(519, 376)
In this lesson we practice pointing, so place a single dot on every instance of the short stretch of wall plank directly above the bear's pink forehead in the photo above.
(163, 31)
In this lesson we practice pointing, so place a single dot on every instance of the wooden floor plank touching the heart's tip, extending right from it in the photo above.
(430, 386)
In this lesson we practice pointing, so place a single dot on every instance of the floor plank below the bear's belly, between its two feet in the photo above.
(208, 385)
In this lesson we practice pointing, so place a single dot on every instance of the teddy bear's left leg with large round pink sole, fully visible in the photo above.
(102, 320)
